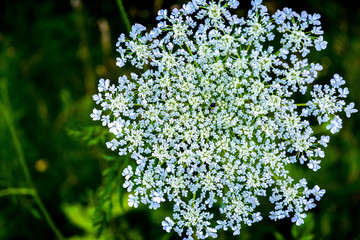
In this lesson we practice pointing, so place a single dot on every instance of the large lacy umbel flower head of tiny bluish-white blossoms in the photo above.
(210, 120)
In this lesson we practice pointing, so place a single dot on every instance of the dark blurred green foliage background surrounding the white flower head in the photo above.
(52, 54)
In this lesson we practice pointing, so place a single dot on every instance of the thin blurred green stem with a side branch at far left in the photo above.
(25, 169)
